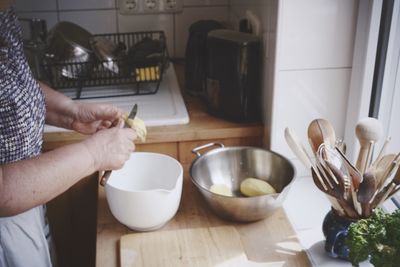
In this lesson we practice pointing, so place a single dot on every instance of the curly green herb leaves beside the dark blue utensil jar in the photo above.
(377, 237)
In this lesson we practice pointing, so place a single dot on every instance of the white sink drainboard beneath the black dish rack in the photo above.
(166, 107)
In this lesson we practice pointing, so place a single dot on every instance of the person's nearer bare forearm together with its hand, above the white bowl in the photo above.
(28, 183)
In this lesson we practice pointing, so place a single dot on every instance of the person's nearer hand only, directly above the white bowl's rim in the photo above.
(110, 148)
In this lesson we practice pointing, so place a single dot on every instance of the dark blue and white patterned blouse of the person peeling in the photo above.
(22, 106)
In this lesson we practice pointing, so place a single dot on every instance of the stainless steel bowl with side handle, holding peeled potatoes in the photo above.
(230, 166)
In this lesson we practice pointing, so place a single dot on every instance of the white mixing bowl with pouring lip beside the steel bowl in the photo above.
(145, 194)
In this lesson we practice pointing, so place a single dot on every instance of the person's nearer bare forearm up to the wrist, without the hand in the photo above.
(28, 183)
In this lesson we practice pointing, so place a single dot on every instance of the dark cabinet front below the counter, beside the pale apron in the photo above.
(72, 217)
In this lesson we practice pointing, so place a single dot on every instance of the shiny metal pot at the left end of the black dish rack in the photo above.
(69, 49)
